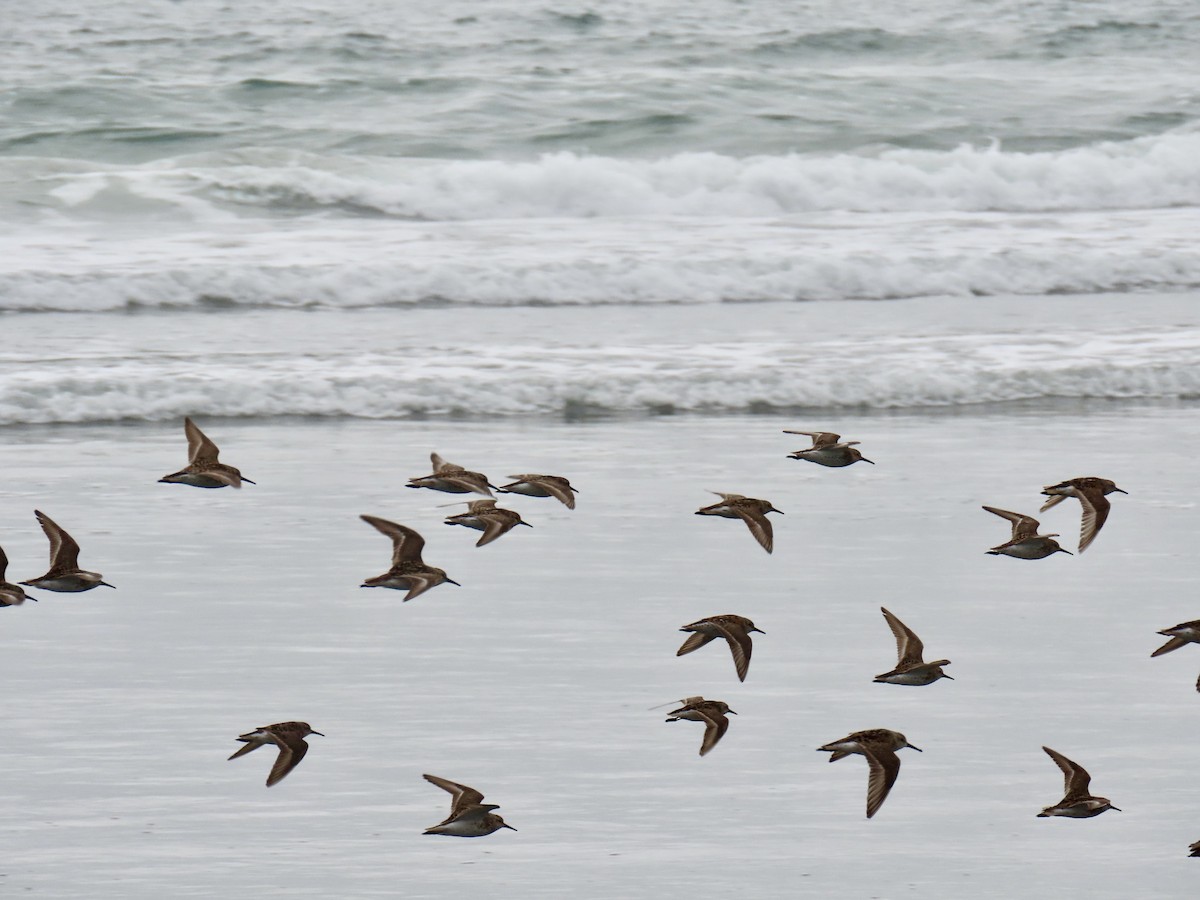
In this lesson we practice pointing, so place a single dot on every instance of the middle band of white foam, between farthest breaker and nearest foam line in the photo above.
(363, 263)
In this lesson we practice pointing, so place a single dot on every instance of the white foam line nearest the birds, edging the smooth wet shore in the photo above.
(554, 380)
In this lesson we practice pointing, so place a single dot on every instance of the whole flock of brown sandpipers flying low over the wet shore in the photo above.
(470, 817)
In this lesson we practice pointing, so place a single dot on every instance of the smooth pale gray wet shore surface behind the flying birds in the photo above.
(533, 682)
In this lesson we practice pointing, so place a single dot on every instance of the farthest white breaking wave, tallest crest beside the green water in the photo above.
(1153, 172)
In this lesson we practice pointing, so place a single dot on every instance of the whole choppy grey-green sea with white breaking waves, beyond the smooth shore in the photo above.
(397, 171)
